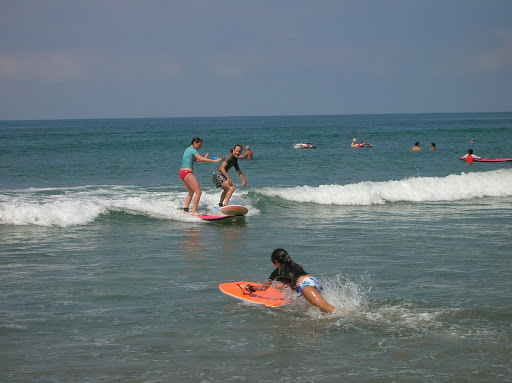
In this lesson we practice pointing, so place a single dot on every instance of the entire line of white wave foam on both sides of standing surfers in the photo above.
(83, 205)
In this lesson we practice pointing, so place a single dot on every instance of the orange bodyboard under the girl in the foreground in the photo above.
(274, 296)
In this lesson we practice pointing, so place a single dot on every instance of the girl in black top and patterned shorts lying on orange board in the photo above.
(293, 275)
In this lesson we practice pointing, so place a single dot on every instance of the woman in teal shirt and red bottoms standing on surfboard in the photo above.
(190, 156)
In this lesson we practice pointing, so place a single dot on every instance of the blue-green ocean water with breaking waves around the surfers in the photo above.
(104, 279)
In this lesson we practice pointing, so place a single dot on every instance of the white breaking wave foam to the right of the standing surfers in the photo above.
(465, 186)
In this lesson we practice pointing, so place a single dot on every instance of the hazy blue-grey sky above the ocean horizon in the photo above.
(64, 59)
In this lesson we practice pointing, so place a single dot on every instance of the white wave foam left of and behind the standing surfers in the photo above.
(82, 205)
